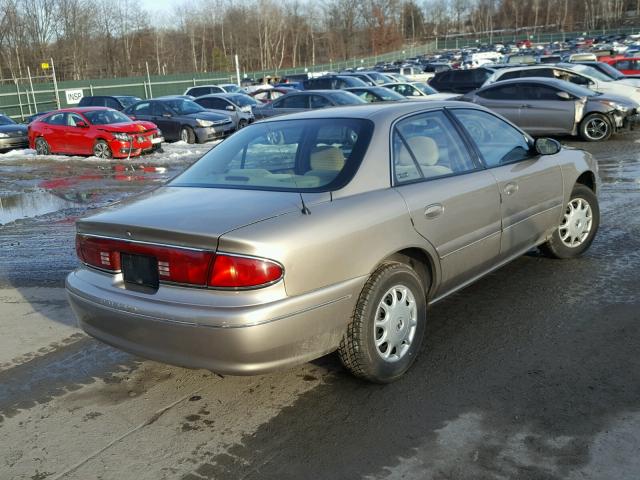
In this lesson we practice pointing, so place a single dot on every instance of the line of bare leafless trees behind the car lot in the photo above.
(119, 38)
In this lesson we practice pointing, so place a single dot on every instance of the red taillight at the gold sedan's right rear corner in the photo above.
(232, 271)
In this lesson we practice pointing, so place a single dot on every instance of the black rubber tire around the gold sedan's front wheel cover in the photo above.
(555, 247)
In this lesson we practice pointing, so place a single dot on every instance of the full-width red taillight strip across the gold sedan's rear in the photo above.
(182, 265)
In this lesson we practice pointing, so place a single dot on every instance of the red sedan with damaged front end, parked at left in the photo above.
(99, 131)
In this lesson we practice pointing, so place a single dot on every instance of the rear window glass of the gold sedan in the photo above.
(285, 155)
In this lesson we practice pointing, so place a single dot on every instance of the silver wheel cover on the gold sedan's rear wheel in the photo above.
(395, 323)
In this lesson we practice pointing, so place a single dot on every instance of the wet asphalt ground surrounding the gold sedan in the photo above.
(531, 373)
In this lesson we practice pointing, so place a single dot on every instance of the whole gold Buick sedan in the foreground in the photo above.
(327, 230)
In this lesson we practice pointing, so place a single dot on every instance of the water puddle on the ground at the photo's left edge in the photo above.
(26, 205)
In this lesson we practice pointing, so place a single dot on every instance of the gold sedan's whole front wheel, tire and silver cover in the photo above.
(578, 227)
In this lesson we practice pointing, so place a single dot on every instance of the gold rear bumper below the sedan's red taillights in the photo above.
(196, 333)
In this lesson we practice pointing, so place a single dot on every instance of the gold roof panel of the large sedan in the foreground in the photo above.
(373, 111)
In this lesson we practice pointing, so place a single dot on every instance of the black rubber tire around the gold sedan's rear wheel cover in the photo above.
(358, 351)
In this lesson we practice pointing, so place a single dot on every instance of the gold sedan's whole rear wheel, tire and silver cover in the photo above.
(388, 324)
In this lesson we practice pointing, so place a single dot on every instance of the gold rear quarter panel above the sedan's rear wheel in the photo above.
(339, 240)
